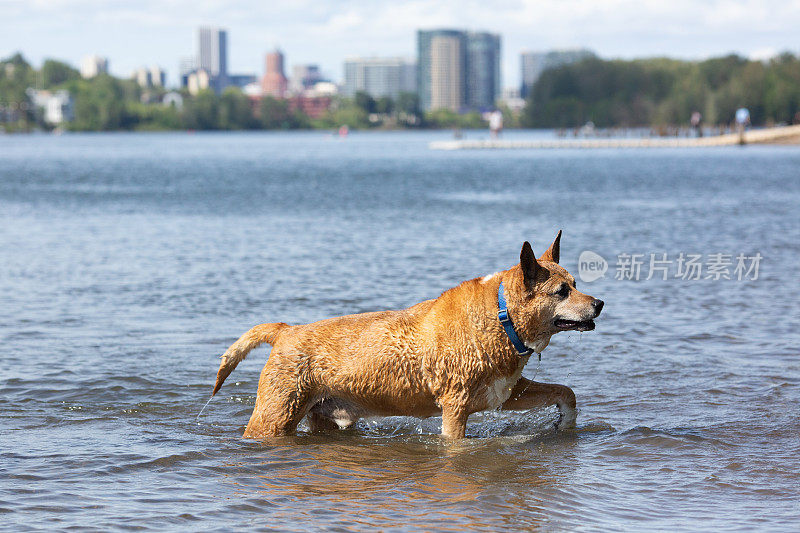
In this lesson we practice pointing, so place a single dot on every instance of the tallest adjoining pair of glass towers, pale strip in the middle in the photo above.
(458, 70)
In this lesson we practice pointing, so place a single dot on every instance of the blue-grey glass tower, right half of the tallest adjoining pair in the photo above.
(483, 70)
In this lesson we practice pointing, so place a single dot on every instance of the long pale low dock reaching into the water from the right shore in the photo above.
(777, 135)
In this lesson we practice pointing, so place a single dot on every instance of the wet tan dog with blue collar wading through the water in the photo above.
(450, 356)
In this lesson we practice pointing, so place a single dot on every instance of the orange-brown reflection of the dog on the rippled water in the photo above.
(422, 481)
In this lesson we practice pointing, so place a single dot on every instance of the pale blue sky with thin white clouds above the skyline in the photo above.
(134, 33)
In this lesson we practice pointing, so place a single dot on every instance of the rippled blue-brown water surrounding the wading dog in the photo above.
(131, 261)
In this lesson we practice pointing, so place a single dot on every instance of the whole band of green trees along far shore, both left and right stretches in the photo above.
(609, 93)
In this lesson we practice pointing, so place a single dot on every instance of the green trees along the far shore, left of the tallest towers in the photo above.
(107, 103)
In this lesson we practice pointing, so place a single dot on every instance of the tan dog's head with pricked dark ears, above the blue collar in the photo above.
(544, 300)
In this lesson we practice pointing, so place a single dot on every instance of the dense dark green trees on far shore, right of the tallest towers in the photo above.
(655, 92)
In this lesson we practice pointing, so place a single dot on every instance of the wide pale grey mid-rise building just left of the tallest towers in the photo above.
(379, 77)
